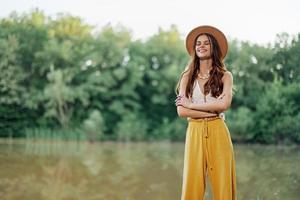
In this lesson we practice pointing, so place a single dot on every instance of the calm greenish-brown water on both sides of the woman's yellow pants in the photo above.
(134, 171)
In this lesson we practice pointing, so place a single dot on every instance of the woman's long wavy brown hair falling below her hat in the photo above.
(214, 83)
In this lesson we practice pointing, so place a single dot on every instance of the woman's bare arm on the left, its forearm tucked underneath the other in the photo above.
(186, 112)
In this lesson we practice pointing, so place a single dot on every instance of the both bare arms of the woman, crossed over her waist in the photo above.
(185, 108)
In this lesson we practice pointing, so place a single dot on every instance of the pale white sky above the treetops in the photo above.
(257, 21)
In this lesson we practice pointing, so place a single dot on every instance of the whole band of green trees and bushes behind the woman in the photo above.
(61, 74)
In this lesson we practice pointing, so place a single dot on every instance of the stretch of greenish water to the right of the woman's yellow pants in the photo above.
(268, 172)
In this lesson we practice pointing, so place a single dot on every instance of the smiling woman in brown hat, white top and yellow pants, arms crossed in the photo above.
(204, 92)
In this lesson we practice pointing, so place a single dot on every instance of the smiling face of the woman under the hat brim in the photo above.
(203, 47)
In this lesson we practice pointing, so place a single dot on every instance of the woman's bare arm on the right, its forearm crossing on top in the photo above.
(220, 104)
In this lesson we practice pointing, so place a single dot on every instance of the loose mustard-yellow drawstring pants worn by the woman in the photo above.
(208, 148)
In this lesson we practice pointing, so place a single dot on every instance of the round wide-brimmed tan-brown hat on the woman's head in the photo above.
(220, 37)
